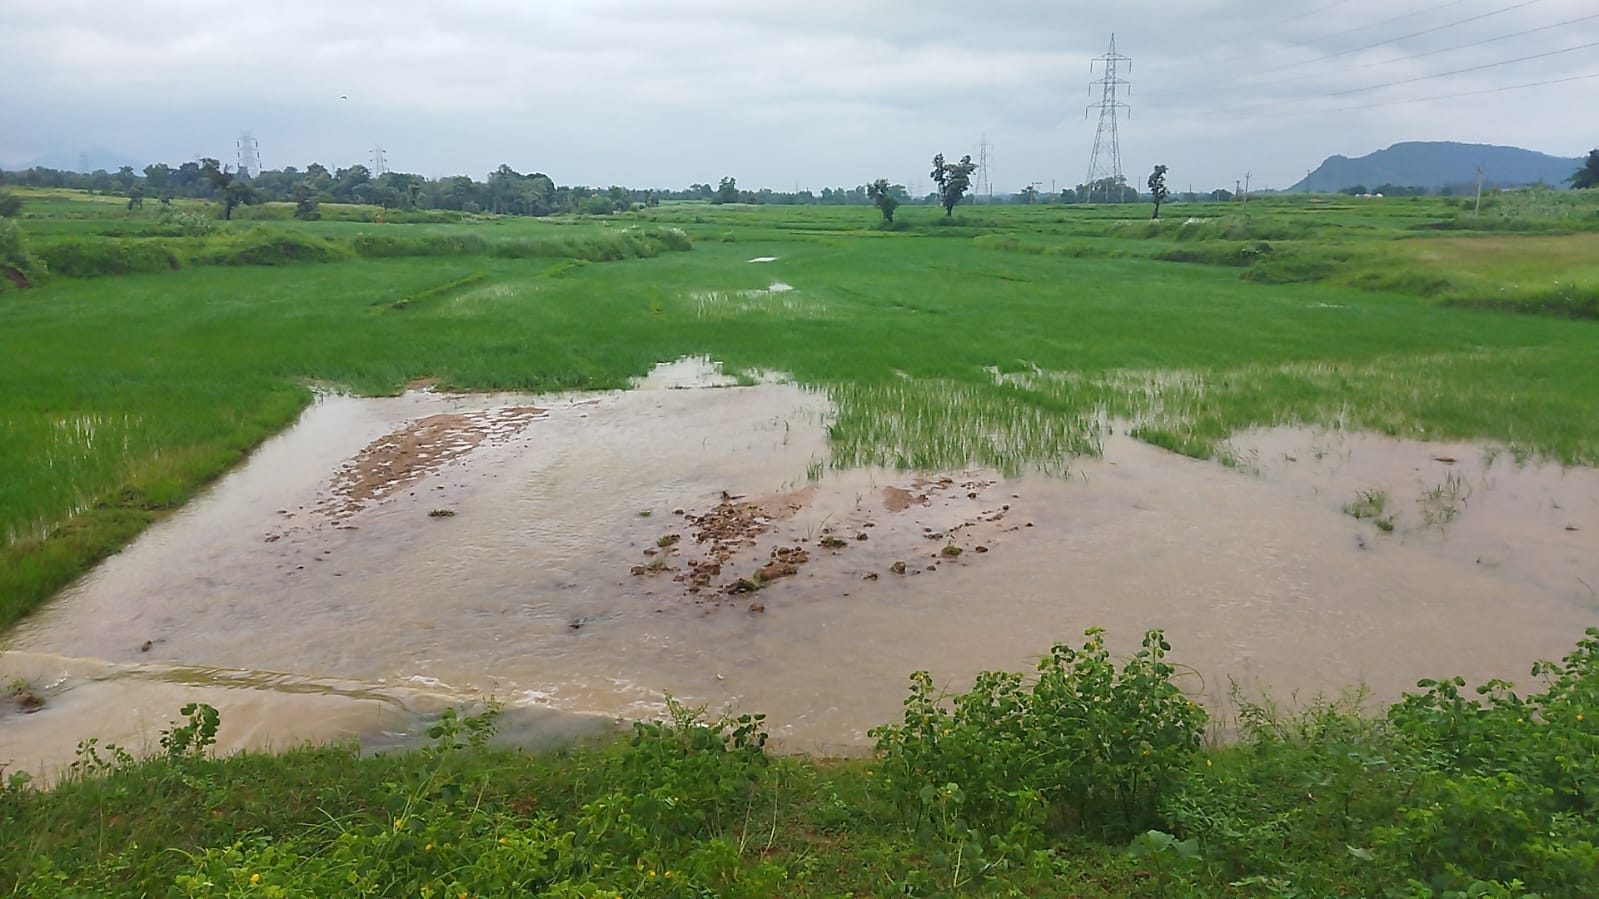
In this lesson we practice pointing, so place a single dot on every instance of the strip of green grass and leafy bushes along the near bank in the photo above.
(1088, 778)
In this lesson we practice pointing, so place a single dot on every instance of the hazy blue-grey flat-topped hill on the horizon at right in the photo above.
(1440, 164)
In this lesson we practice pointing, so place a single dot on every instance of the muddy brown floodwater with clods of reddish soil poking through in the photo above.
(578, 557)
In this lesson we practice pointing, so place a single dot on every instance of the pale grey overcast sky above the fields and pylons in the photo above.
(791, 94)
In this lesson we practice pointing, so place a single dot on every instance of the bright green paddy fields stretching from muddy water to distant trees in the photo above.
(1003, 338)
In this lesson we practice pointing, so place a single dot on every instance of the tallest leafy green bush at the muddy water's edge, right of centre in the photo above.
(1083, 748)
